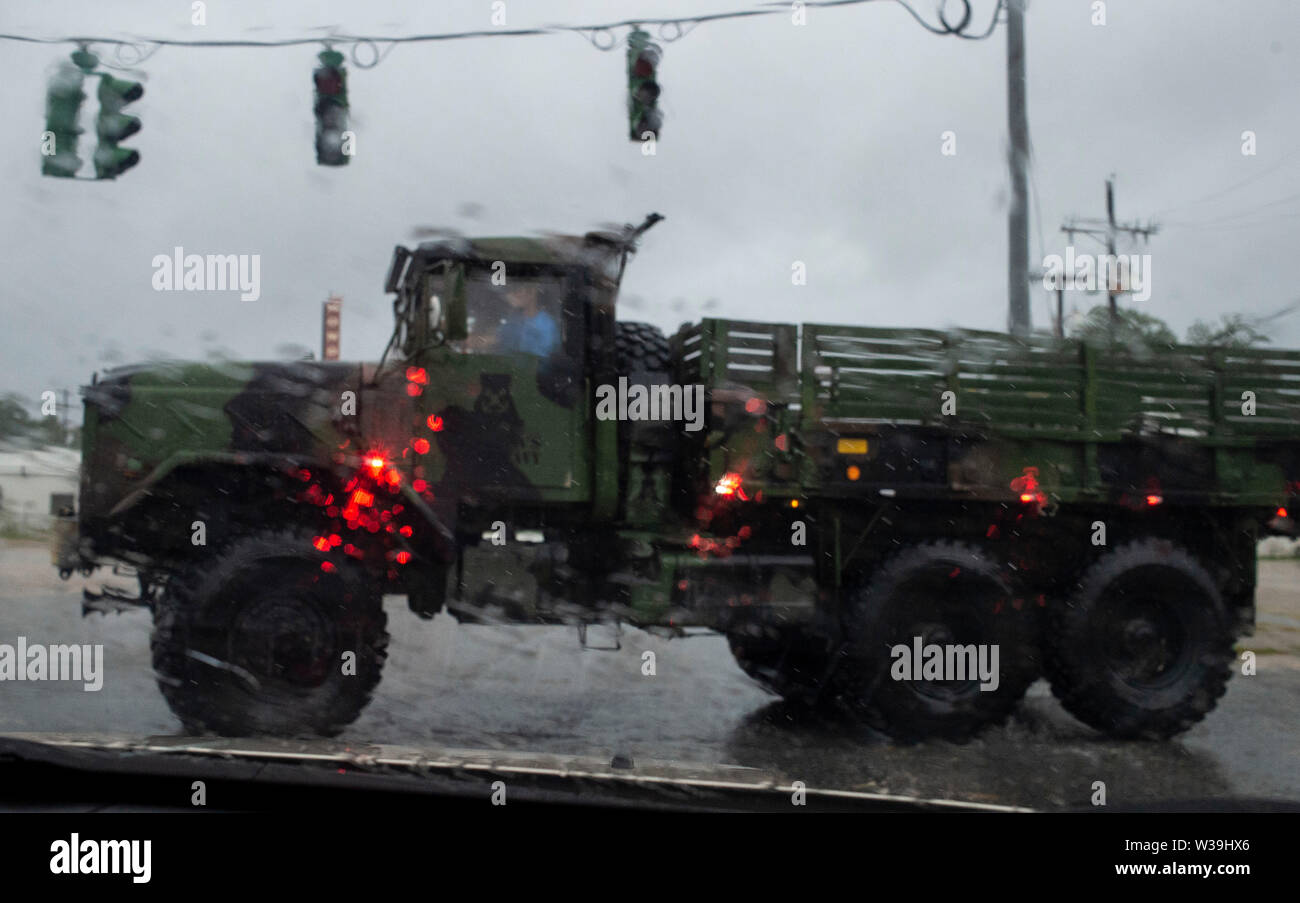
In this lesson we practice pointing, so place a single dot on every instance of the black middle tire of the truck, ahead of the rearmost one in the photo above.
(948, 594)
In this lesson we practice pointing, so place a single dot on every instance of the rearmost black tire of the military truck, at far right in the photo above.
(1145, 646)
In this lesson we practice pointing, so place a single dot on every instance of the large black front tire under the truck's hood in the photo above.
(253, 642)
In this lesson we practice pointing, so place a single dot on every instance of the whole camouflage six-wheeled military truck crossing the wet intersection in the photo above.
(833, 500)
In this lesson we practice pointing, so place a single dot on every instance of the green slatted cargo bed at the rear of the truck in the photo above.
(1094, 423)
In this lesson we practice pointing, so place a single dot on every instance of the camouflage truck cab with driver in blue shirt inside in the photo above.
(500, 344)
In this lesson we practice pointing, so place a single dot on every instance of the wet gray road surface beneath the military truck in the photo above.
(535, 689)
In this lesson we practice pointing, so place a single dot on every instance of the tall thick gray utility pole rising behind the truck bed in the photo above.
(1019, 157)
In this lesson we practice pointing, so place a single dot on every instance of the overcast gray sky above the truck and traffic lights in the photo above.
(781, 144)
